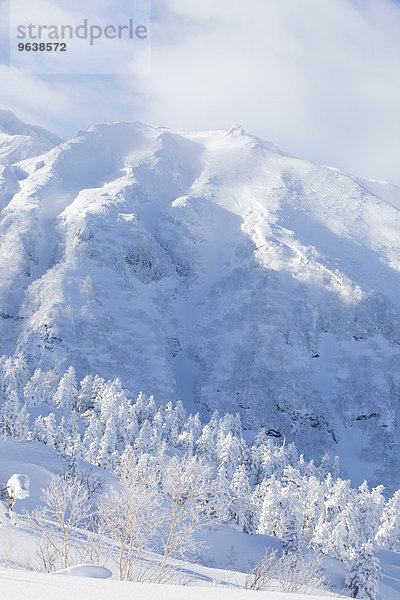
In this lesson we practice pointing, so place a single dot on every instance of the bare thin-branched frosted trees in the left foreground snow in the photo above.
(161, 505)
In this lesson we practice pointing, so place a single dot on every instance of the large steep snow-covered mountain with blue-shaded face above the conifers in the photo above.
(212, 267)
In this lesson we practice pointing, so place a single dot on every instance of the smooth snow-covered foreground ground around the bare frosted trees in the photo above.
(223, 563)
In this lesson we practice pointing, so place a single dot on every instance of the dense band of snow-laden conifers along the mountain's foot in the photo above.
(260, 487)
